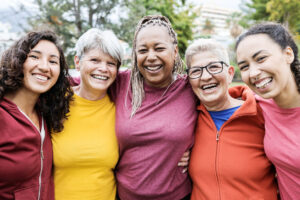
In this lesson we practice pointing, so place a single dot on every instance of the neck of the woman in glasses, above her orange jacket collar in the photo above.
(225, 103)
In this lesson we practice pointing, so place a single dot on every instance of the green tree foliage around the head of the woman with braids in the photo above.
(179, 14)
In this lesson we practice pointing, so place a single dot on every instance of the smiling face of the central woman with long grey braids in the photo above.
(155, 55)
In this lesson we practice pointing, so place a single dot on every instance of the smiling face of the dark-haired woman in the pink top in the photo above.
(264, 66)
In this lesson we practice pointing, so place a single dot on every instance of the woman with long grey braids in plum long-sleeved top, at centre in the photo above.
(155, 116)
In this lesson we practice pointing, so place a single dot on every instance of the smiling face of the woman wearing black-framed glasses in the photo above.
(210, 89)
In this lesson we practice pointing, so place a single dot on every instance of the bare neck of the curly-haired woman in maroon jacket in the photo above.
(24, 100)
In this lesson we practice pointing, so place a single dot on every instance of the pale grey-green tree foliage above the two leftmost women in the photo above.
(70, 18)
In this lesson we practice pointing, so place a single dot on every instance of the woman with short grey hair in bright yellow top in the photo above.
(86, 151)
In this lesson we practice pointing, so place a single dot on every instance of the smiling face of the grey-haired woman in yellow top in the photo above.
(98, 70)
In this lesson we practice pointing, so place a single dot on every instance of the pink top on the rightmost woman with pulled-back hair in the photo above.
(282, 145)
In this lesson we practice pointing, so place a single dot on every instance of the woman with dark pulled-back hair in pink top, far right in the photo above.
(268, 60)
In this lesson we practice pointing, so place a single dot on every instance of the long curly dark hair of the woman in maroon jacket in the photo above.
(53, 104)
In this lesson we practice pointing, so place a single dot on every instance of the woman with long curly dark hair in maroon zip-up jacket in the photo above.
(34, 101)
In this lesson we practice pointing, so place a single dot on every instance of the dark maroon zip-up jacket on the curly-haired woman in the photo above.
(25, 162)
